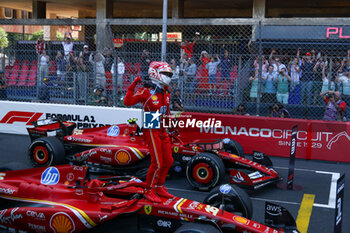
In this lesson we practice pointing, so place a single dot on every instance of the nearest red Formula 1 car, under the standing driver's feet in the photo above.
(66, 199)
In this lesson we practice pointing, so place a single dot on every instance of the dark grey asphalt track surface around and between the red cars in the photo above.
(314, 177)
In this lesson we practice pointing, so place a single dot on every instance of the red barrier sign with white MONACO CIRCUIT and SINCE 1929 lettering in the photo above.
(322, 140)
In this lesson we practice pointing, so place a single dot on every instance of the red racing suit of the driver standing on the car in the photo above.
(158, 140)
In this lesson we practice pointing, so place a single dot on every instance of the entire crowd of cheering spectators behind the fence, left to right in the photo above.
(281, 77)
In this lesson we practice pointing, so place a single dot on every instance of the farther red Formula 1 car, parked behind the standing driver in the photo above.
(122, 149)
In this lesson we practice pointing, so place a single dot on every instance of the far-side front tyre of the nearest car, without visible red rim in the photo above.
(238, 202)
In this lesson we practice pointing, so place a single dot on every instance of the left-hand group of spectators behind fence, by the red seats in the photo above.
(88, 68)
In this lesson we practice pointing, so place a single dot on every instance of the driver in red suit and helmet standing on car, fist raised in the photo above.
(155, 97)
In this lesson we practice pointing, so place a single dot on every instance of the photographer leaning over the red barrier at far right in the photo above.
(335, 110)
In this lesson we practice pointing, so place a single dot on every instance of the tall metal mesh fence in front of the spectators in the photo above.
(217, 68)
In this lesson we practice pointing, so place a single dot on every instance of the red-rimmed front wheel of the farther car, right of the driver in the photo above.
(204, 171)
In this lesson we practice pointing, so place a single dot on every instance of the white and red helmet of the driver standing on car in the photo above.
(160, 72)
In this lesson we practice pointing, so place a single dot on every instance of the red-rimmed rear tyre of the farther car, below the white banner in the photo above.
(44, 152)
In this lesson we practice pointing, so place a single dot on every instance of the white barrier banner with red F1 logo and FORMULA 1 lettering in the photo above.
(15, 117)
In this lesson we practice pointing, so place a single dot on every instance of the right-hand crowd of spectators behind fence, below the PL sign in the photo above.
(300, 79)
